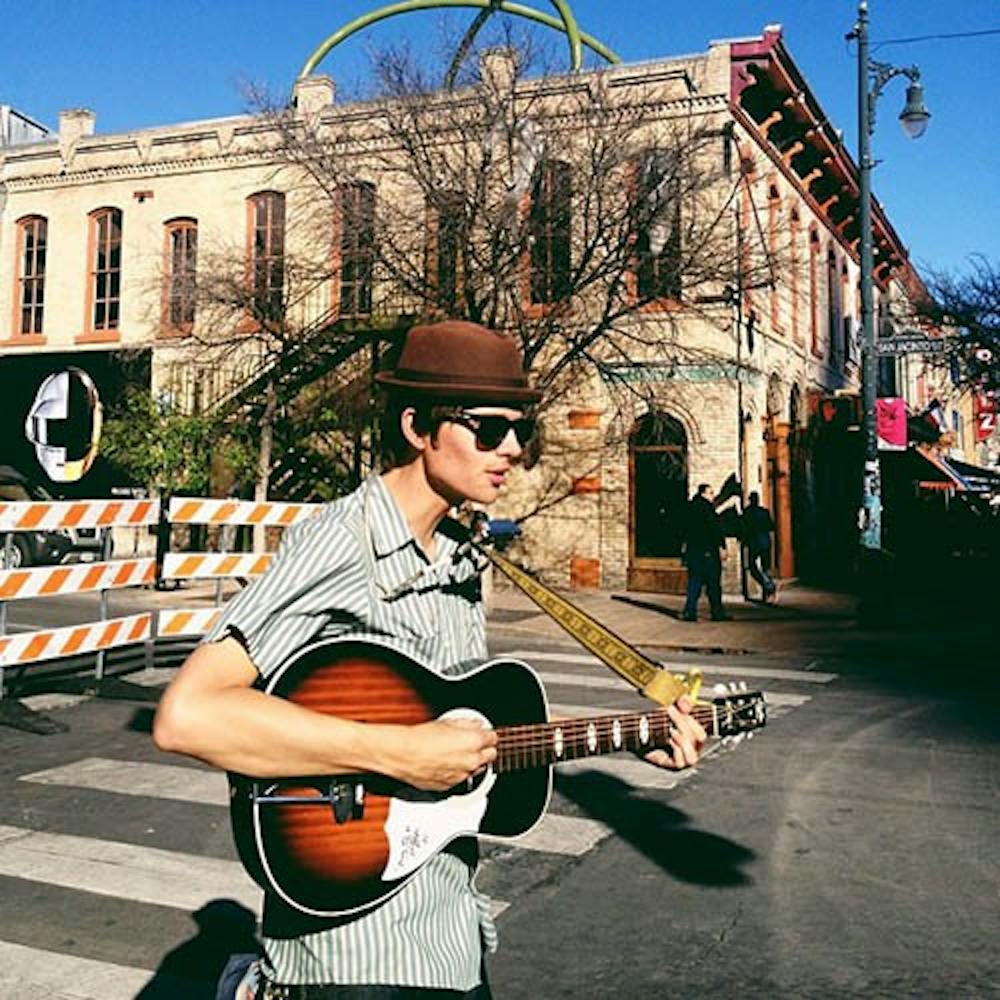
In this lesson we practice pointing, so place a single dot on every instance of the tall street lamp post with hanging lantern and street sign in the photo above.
(872, 78)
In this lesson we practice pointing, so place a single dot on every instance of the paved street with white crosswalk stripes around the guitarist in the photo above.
(848, 850)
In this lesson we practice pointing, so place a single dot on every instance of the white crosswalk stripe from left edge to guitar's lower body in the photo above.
(126, 871)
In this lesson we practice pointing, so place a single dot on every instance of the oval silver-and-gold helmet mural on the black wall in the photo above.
(64, 424)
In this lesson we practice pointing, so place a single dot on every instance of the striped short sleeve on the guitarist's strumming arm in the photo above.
(316, 584)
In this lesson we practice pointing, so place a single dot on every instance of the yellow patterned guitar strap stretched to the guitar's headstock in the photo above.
(648, 677)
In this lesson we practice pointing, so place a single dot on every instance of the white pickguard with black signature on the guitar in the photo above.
(416, 831)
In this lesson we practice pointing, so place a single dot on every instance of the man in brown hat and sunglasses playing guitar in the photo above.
(387, 564)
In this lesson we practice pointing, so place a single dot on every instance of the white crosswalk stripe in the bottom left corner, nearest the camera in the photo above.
(32, 973)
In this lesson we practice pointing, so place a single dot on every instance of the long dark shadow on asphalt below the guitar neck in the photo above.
(658, 831)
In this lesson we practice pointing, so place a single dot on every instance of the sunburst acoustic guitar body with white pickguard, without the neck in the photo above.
(328, 867)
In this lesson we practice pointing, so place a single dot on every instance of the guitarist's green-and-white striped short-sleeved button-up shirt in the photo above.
(355, 569)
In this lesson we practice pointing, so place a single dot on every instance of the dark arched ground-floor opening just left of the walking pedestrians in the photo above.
(658, 458)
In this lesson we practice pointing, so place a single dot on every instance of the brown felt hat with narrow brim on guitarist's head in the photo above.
(455, 360)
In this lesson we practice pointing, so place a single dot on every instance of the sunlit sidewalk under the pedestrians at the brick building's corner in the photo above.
(805, 621)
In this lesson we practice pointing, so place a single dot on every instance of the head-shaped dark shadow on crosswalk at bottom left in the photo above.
(192, 969)
